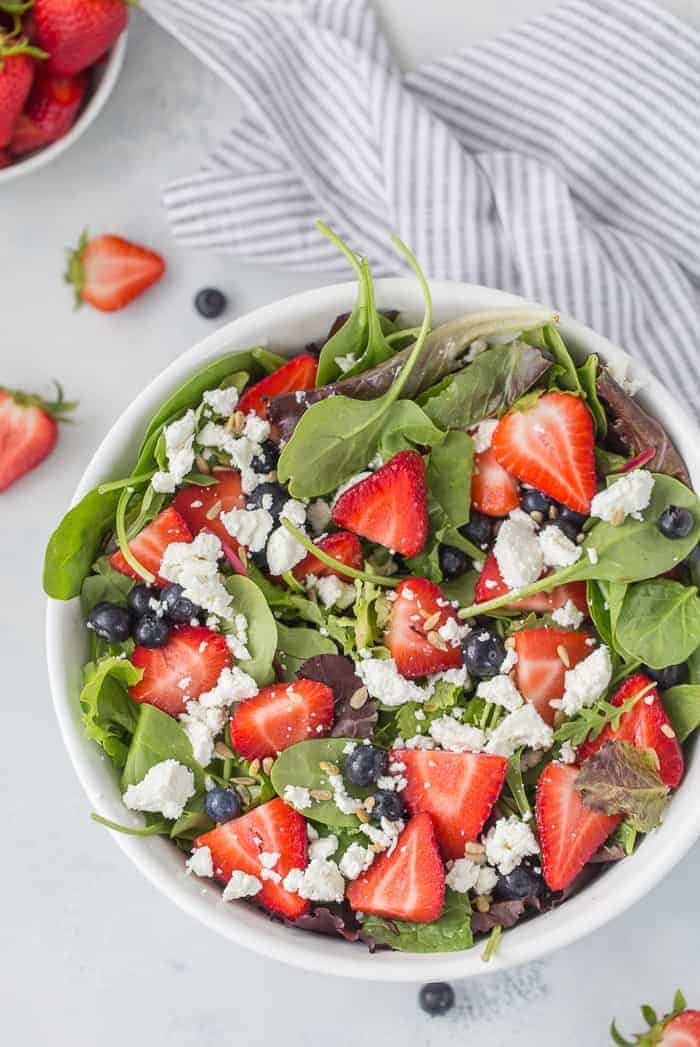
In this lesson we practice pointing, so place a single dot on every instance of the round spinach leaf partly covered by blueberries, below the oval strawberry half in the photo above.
(301, 766)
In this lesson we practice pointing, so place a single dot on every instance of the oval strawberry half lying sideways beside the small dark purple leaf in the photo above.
(280, 717)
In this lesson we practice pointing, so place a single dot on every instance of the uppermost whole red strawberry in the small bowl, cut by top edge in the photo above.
(77, 33)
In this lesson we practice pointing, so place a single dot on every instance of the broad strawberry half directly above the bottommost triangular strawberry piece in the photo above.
(458, 790)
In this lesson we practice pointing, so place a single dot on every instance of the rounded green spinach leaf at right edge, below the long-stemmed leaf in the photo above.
(660, 622)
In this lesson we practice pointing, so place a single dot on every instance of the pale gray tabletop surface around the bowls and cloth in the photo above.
(89, 953)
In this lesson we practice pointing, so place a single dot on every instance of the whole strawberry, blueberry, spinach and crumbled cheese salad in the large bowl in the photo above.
(399, 639)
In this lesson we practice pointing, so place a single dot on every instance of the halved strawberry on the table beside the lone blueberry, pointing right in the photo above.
(108, 272)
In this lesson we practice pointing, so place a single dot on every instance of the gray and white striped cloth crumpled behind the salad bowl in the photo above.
(560, 161)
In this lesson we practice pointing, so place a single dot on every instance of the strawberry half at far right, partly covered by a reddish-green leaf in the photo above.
(647, 726)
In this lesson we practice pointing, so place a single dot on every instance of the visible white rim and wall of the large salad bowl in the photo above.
(287, 326)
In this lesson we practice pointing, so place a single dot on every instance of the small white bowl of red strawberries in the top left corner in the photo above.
(59, 63)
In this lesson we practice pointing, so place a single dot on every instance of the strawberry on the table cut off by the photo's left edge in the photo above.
(29, 432)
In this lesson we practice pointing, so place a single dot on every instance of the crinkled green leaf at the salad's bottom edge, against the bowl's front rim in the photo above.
(451, 933)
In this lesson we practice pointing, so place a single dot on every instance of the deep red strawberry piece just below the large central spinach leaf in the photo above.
(391, 507)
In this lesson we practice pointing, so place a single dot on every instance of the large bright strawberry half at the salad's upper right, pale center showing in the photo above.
(550, 445)
